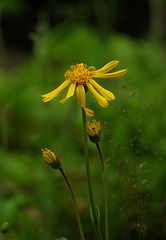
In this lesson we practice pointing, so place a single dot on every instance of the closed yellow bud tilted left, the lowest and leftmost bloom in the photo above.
(51, 158)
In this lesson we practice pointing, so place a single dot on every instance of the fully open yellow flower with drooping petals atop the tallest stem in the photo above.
(79, 77)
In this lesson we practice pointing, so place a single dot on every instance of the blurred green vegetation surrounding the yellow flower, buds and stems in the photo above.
(33, 197)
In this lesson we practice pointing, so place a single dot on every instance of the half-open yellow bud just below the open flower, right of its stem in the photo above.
(94, 131)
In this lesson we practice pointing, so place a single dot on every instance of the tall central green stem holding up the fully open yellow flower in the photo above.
(92, 203)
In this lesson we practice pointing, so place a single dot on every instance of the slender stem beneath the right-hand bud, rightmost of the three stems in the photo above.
(105, 191)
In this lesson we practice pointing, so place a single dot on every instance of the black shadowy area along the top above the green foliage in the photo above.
(129, 17)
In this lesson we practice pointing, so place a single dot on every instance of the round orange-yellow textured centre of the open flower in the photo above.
(79, 74)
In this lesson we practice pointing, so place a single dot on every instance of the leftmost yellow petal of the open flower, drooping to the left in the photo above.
(49, 96)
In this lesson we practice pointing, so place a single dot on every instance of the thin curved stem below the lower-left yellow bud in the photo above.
(74, 202)
